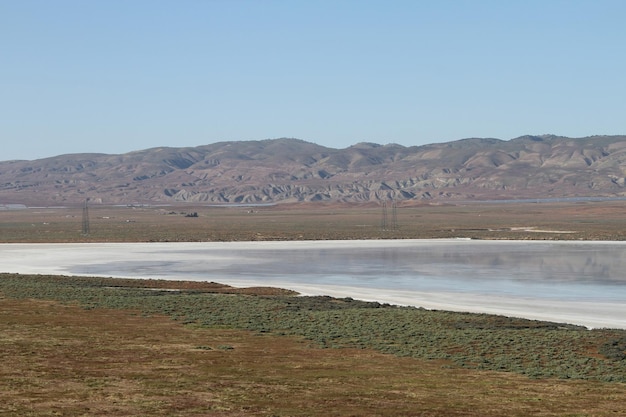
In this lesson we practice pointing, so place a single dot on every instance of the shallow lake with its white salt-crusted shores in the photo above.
(576, 282)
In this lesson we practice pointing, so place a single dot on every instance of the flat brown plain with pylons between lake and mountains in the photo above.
(568, 220)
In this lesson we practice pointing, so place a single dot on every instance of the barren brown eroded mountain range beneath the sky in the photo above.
(293, 170)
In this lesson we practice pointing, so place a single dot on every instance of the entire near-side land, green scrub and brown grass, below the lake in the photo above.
(261, 353)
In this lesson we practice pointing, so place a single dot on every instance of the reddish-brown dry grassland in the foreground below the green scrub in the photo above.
(63, 360)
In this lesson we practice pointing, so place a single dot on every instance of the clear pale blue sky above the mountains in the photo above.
(114, 76)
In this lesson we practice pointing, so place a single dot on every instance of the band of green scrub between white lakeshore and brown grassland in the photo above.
(476, 341)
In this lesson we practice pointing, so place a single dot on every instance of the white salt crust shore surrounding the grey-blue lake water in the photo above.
(68, 259)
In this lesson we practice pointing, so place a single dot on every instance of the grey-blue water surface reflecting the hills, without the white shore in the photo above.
(564, 270)
